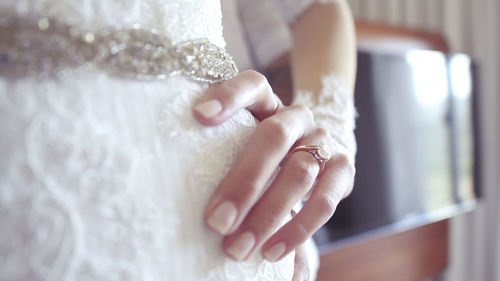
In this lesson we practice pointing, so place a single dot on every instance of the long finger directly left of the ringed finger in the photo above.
(243, 184)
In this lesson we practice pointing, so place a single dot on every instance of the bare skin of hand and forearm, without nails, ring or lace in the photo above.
(330, 49)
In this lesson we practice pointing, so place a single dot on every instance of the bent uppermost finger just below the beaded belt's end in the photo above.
(249, 89)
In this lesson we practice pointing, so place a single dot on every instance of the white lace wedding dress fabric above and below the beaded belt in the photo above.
(105, 177)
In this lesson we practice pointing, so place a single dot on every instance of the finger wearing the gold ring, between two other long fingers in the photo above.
(294, 181)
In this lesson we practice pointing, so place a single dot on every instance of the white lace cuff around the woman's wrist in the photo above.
(333, 110)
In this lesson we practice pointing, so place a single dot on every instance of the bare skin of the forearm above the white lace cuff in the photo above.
(323, 43)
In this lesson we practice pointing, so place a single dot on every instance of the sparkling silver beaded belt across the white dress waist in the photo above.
(42, 46)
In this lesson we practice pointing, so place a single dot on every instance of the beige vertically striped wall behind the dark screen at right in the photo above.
(472, 27)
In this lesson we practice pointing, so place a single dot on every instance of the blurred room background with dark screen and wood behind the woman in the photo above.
(426, 203)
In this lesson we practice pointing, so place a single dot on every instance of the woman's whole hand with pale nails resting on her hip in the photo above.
(242, 209)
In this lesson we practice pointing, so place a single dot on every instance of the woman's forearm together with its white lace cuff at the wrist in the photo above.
(323, 69)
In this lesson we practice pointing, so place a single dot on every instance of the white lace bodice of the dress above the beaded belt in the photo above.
(179, 20)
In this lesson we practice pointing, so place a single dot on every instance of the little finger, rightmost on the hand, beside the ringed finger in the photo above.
(336, 179)
